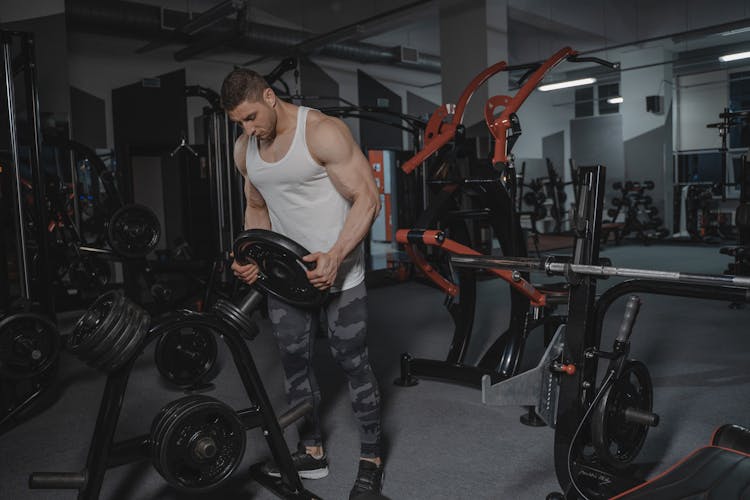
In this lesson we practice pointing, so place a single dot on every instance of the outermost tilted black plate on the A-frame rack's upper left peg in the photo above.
(95, 322)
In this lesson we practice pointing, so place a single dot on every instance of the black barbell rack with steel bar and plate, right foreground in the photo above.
(599, 428)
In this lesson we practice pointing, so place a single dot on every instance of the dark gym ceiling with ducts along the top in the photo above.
(685, 29)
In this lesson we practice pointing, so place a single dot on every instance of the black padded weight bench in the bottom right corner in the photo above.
(720, 470)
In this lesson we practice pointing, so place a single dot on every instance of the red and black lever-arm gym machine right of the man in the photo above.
(496, 189)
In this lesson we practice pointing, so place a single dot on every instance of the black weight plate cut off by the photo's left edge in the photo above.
(29, 345)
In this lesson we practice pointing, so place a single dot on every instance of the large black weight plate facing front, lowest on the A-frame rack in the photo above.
(197, 442)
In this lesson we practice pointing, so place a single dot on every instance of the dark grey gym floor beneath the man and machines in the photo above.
(442, 442)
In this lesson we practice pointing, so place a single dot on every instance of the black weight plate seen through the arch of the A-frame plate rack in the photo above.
(186, 355)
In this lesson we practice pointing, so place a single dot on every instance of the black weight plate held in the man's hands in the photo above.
(282, 270)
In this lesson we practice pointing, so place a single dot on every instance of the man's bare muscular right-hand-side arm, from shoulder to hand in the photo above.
(331, 143)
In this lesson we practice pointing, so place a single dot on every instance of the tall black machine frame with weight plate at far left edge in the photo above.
(29, 341)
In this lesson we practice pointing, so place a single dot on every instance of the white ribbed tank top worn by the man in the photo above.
(302, 202)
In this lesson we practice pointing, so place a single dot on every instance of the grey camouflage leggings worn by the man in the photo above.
(295, 329)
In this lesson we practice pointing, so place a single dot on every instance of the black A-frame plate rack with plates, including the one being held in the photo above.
(114, 331)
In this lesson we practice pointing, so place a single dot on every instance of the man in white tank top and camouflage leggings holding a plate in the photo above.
(306, 178)
